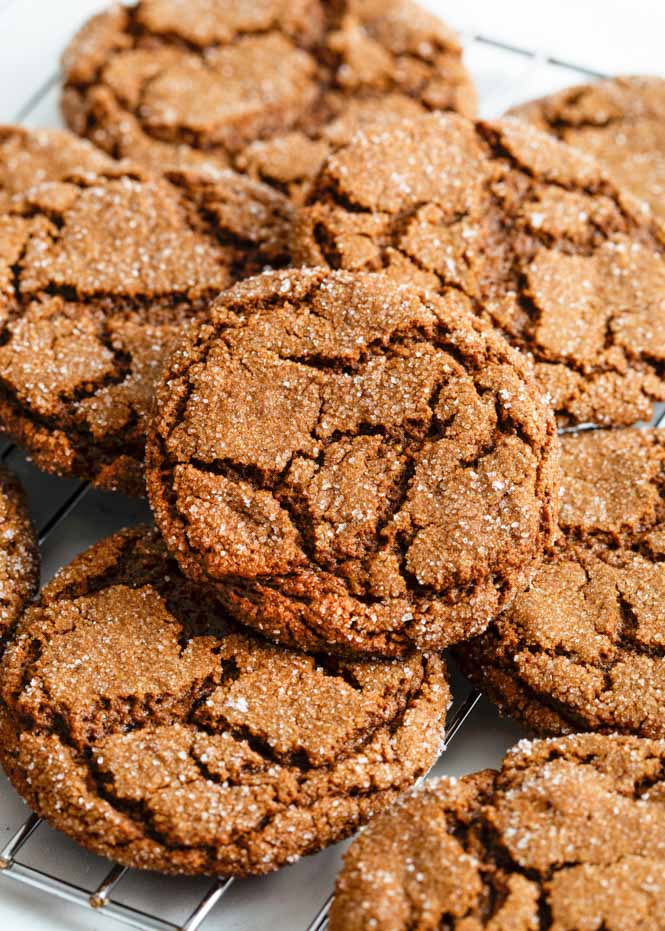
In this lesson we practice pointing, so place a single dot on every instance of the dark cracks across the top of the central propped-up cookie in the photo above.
(406, 440)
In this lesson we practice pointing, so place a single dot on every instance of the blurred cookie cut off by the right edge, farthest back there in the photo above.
(621, 121)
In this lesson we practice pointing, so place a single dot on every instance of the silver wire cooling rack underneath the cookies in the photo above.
(71, 517)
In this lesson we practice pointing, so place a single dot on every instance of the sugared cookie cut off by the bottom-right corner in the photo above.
(568, 835)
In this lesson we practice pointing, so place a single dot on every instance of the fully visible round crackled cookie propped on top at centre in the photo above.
(363, 467)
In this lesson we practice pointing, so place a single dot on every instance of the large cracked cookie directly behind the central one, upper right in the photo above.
(570, 269)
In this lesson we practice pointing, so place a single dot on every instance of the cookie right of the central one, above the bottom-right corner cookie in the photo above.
(584, 647)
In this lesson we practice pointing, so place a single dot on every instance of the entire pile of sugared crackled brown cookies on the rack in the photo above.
(280, 281)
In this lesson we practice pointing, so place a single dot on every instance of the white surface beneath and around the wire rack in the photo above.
(605, 36)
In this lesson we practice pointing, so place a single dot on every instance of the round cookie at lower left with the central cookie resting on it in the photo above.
(139, 720)
